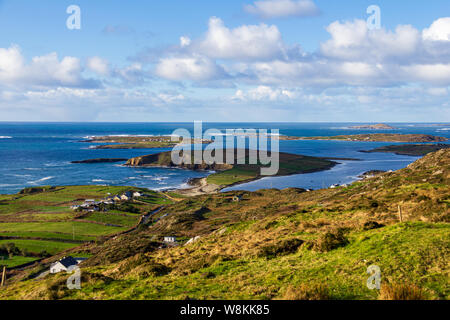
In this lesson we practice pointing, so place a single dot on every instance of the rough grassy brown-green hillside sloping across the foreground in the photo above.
(274, 244)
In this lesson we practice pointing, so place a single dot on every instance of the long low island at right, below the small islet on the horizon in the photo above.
(381, 137)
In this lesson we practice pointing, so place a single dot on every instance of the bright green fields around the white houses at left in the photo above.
(39, 222)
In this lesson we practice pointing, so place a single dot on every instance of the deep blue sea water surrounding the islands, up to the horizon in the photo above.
(34, 154)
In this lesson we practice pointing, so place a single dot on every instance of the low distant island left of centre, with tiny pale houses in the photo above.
(140, 142)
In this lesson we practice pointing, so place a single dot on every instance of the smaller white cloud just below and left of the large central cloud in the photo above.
(196, 68)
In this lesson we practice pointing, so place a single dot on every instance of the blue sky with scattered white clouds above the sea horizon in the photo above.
(266, 60)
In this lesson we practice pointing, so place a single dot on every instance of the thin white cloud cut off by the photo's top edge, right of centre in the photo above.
(283, 8)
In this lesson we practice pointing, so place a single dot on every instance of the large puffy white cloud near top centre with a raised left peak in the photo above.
(244, 42)
